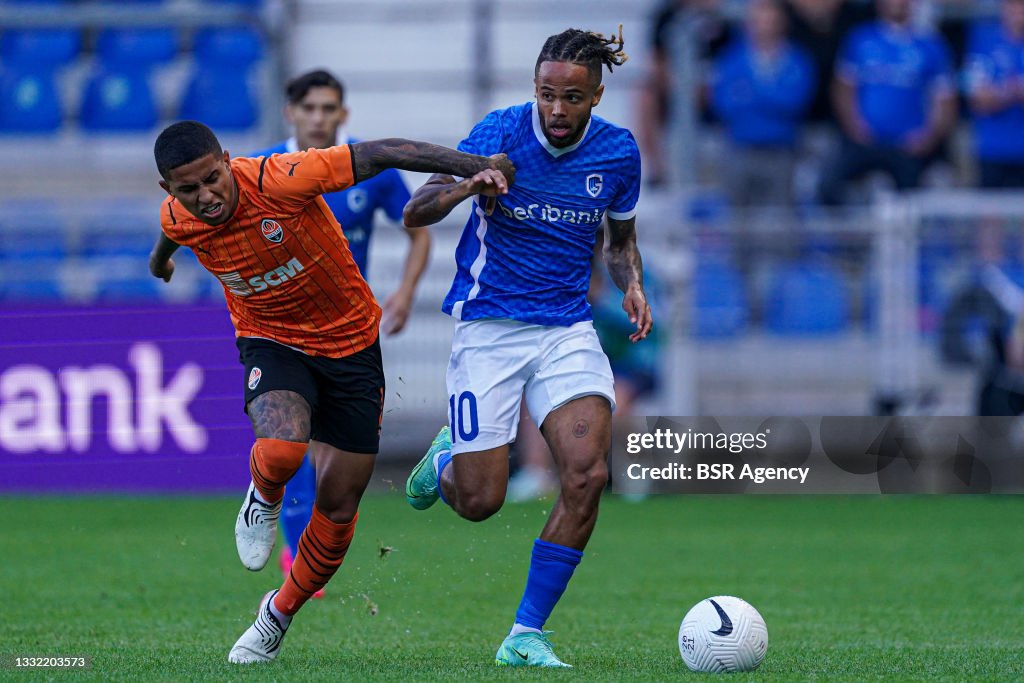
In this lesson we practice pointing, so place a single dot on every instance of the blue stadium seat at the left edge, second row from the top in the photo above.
(31, 102)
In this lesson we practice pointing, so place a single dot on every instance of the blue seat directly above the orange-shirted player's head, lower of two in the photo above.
(222, 99)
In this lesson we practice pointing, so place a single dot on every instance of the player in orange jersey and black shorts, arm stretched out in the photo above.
(308, 331)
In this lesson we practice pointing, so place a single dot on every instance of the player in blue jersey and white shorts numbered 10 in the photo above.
(525, 325)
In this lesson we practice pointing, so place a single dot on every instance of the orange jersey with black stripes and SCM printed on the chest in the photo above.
(282, 258)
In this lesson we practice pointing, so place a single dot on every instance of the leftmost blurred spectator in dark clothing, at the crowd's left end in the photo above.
(673, 21)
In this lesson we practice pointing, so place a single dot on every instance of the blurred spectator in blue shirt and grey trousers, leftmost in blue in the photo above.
(761, 90)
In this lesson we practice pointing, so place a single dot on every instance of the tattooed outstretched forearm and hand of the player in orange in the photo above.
(372, 157)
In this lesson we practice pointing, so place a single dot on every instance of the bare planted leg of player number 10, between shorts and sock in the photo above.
(579, 435)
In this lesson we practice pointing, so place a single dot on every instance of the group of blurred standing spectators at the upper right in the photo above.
(881, 76)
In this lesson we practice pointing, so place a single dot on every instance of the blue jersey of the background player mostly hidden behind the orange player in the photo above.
(355, 208)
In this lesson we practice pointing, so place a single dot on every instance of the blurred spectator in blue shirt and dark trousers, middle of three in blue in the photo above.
(895, 101)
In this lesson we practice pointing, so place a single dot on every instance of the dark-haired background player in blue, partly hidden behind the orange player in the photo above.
(317, 111)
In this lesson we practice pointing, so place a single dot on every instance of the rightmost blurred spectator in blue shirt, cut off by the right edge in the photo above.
(995, 82)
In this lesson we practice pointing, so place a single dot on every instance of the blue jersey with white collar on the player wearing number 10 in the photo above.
(530, 261)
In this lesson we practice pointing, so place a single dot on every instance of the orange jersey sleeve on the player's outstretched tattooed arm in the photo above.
(298, 178)
